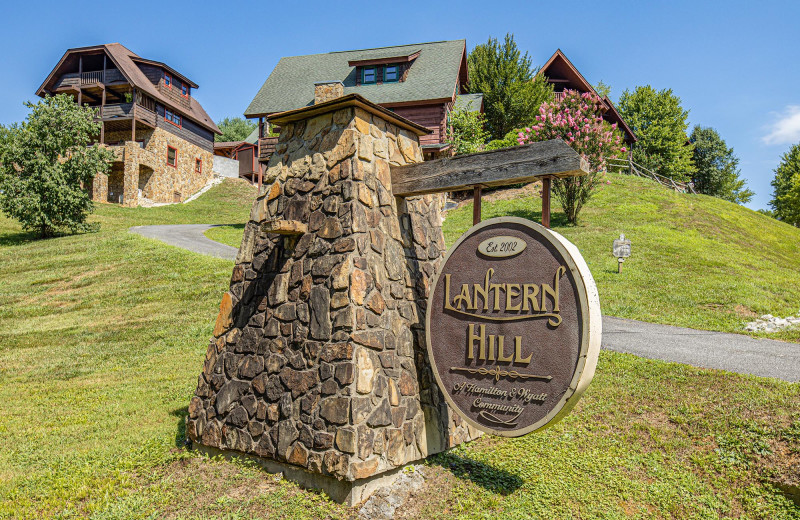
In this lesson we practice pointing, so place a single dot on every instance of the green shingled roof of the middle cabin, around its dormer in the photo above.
(433, 75)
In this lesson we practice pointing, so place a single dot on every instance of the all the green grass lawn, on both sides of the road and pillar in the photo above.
(102, 336)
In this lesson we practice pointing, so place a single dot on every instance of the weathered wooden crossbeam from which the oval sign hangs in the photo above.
(513, 165)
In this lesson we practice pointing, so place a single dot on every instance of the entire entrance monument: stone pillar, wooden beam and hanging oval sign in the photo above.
(318, 365)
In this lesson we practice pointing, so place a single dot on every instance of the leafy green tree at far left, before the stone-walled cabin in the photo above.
(47, 166)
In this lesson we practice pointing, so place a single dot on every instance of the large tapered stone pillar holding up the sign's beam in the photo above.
(318, 359)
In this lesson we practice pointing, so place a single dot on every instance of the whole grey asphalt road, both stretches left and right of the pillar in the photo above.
(732, 352)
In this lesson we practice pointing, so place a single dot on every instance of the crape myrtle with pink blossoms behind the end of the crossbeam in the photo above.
(577, 119)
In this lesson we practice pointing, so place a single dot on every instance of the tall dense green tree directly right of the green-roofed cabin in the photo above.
(512, 91)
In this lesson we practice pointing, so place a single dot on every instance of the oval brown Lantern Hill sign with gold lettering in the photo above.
(513, 326)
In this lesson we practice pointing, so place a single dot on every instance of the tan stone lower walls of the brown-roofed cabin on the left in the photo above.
(163, 182)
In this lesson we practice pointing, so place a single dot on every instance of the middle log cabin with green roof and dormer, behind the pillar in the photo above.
(421, 82)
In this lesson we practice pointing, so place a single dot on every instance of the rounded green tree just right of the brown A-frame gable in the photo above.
(659, 122)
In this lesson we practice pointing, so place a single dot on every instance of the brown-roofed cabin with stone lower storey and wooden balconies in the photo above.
(162, 139)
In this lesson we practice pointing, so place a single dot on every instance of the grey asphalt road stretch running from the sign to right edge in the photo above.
(700, 348)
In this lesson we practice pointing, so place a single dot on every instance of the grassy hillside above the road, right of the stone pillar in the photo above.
(696, 261)
